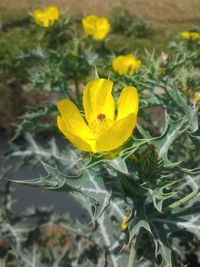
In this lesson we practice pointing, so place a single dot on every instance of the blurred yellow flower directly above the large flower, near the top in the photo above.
(97, 27)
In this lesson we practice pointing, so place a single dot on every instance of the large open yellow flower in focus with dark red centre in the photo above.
(100, 130)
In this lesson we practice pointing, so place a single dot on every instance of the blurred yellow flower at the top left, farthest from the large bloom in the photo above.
(47, 16)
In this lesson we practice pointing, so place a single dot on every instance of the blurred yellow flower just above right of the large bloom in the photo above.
(127, 64)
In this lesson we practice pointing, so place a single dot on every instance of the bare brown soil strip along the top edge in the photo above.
(156, 10)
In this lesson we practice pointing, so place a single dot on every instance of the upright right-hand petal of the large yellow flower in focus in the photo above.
(128, 102)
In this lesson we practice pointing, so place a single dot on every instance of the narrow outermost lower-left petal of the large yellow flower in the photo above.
(75, 140)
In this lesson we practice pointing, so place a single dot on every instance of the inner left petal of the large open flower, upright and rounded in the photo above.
(73, 119)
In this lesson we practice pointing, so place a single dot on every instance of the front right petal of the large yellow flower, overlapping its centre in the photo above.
(117, 134)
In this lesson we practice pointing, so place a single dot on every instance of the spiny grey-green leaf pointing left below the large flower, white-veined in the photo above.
(89, 183)
